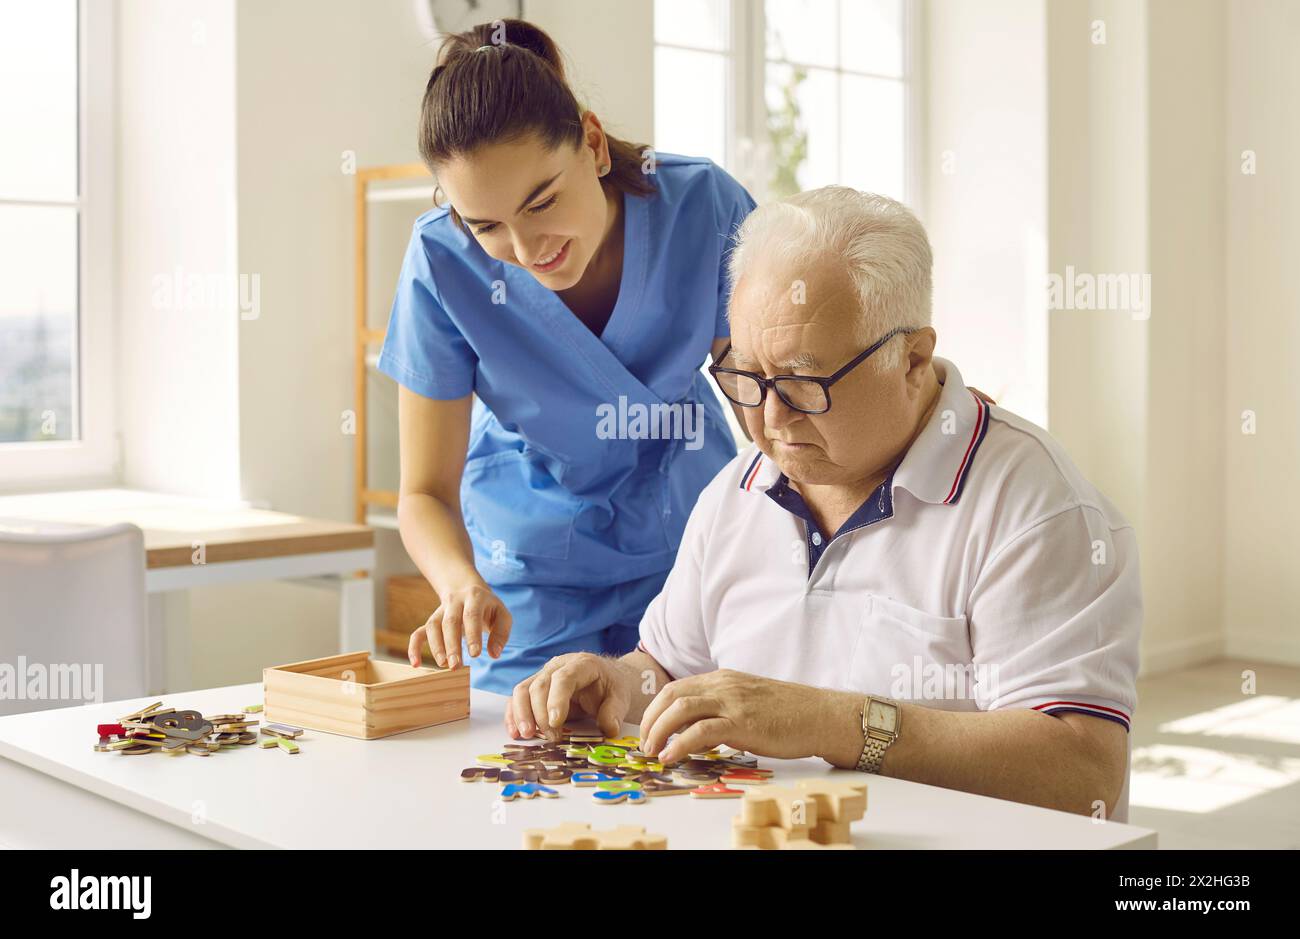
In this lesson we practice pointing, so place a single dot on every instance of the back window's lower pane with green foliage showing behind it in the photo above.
(804, 128)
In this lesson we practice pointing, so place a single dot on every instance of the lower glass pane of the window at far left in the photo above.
(38, 323)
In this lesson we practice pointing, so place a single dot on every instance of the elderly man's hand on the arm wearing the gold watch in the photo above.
(756, 715)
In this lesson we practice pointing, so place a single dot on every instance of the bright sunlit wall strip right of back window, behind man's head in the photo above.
(985, 207)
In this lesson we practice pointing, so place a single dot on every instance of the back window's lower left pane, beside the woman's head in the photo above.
(691, 103)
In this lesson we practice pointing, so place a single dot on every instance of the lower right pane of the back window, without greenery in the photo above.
(873, 133)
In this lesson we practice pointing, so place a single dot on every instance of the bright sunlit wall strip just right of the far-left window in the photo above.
(177, 370)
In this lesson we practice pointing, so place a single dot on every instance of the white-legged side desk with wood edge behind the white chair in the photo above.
(240, 544)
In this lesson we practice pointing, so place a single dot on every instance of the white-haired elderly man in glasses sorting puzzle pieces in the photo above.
(898, 577)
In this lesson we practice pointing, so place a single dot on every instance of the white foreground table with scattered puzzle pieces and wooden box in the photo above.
(406, 793)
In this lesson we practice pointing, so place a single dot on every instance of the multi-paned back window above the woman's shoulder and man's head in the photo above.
(791, 94)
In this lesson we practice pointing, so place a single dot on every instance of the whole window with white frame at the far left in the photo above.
(55, 334)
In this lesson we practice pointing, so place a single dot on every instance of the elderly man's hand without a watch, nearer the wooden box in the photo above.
(579, 683)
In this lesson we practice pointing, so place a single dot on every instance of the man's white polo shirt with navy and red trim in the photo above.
(986, 573)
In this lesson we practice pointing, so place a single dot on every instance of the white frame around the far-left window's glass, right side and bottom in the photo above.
(93, 460)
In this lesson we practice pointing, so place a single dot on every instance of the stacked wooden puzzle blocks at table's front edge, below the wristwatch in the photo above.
(814, 815)
